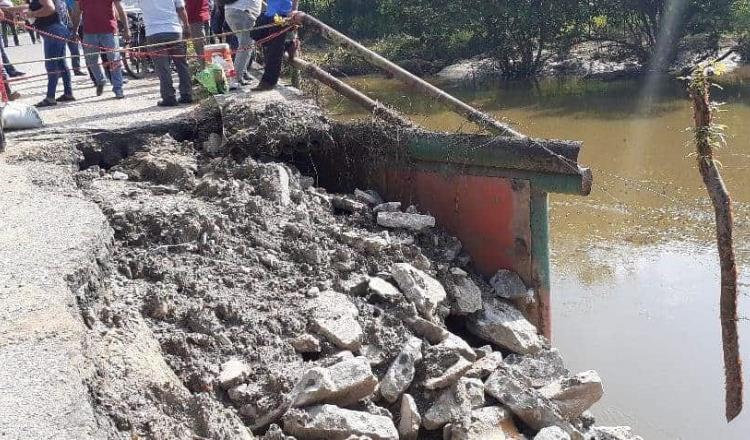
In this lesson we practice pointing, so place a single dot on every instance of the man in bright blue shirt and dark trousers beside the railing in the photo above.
(274, 49)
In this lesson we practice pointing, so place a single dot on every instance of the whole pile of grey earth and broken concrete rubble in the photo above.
(283, 311)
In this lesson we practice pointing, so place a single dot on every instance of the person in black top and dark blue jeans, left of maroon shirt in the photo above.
(55, 34)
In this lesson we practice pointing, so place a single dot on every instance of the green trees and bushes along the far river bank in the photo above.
(522, 34)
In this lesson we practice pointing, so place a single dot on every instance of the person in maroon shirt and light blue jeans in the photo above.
(99, 31)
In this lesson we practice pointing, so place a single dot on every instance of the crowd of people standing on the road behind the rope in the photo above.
(169, 25)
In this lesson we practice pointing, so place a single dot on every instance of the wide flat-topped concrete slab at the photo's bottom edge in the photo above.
(334, 423)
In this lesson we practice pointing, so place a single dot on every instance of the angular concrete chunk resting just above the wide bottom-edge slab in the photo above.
(342, 384)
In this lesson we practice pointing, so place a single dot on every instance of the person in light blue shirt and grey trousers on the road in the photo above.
(166, 22)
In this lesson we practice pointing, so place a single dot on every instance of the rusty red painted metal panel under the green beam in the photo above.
(490, 215)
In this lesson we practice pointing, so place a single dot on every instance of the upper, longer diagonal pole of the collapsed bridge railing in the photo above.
(473, 115)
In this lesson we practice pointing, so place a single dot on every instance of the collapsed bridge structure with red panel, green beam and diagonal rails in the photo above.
(491, 191)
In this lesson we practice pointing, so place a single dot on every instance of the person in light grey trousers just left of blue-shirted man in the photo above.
(241, 16)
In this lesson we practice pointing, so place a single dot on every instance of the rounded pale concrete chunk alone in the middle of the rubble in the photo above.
(336, 319)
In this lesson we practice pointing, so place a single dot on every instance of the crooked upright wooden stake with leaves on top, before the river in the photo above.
(705, 141)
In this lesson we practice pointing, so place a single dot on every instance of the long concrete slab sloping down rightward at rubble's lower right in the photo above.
(536, 411)
